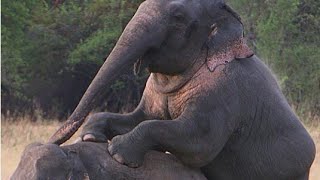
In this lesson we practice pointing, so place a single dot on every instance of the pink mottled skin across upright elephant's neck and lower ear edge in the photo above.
(170, 105)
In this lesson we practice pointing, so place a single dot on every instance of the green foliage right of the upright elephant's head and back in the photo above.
(286, 35)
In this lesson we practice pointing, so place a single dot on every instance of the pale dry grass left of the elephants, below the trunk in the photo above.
(15, 136)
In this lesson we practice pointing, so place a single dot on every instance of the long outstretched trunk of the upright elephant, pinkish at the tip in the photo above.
(139, 35)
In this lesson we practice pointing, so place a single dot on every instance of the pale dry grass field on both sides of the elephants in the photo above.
(15, 136)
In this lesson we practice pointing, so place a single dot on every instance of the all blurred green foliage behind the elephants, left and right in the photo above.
(51, 51)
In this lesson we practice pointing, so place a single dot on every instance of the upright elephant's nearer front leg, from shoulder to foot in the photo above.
(195, 137)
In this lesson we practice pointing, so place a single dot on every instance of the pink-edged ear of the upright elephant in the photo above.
(226, 40)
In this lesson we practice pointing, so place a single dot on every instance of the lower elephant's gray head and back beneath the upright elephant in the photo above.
(92, 161)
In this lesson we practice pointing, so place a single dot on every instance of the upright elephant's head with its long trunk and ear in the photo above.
(167, 37)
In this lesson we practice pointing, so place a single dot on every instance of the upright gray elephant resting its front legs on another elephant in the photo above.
(209, 100)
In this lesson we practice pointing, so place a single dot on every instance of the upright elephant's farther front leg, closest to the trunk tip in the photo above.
(103, 126)
